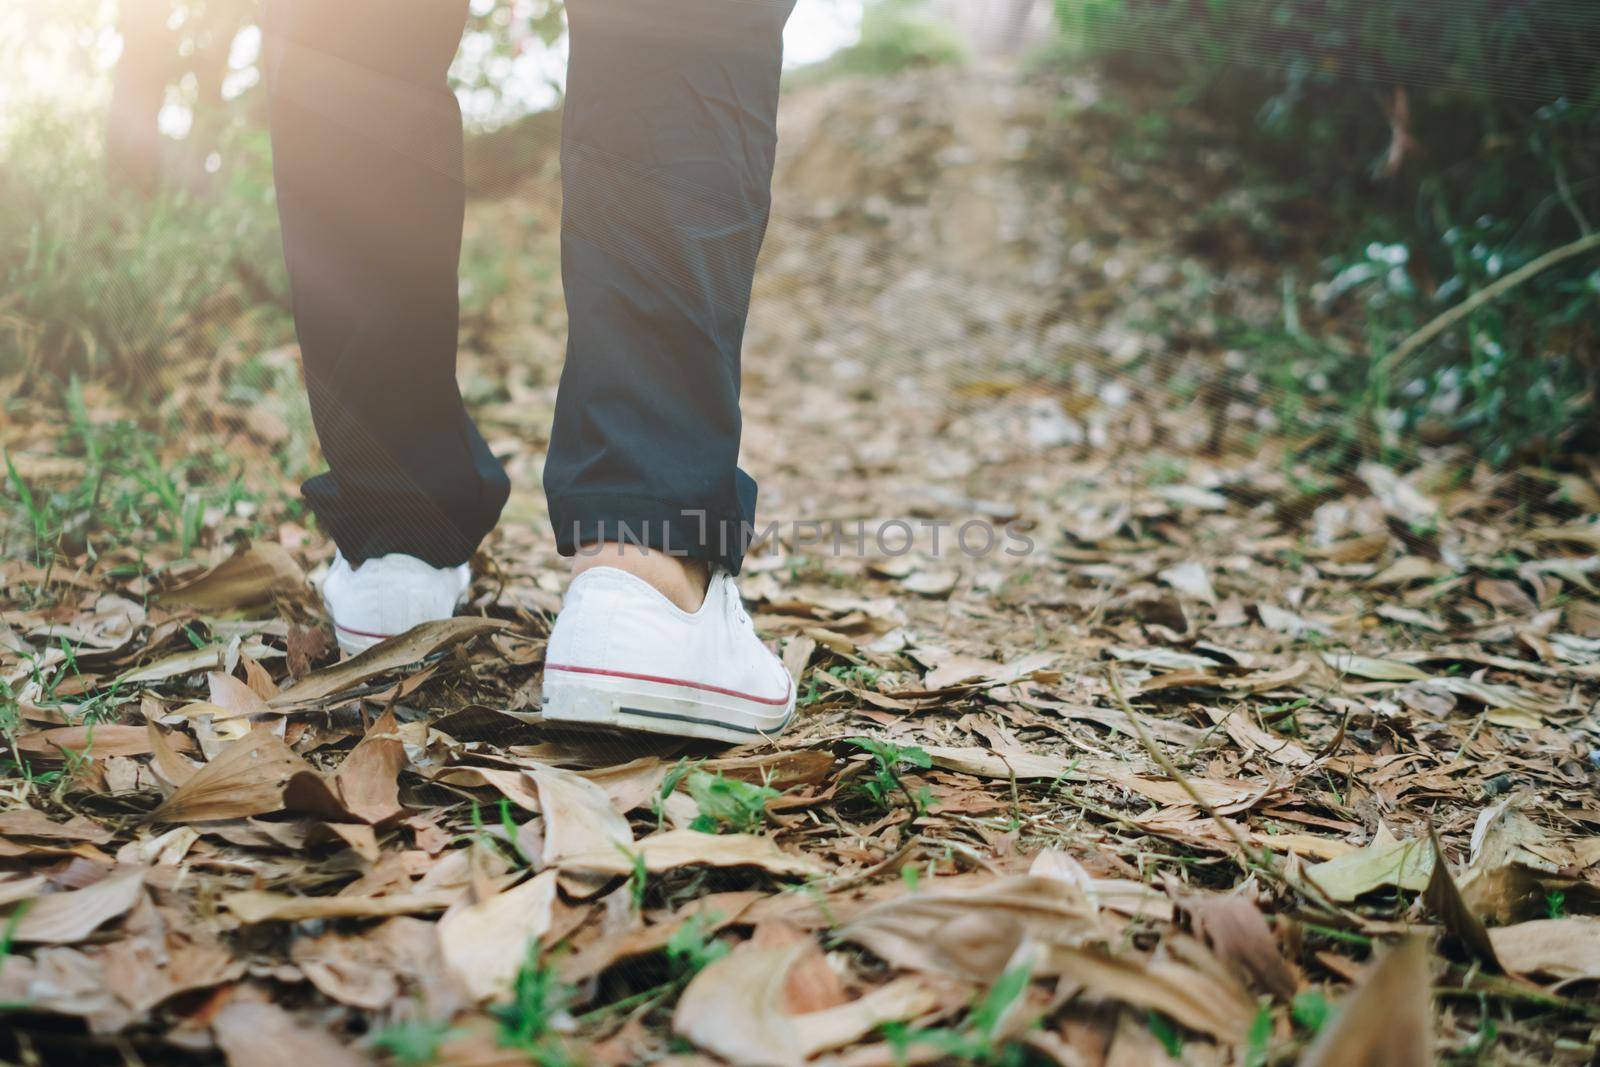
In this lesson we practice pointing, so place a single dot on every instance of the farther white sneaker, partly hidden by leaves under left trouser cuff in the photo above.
(388, 596)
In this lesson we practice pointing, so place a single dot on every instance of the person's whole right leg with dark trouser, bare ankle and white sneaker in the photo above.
(666, 170)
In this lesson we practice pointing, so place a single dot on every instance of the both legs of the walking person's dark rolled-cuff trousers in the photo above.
(666, 172)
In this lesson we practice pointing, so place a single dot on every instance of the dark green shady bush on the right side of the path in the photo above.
(1454, 142)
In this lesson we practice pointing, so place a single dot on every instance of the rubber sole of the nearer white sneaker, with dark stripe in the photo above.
(663, 708)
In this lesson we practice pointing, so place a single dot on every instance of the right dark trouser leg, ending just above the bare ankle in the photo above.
(668, 146)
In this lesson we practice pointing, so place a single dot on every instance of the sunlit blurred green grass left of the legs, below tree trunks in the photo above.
(100, 279)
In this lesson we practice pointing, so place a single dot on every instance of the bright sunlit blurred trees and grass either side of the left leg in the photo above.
(137, 174)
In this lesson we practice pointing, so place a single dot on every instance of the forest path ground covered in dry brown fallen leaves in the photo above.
(1174, 749)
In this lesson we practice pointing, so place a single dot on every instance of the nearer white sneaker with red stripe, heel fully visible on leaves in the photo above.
(623, 655)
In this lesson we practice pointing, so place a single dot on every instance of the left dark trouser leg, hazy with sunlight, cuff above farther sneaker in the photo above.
(369, 161)
